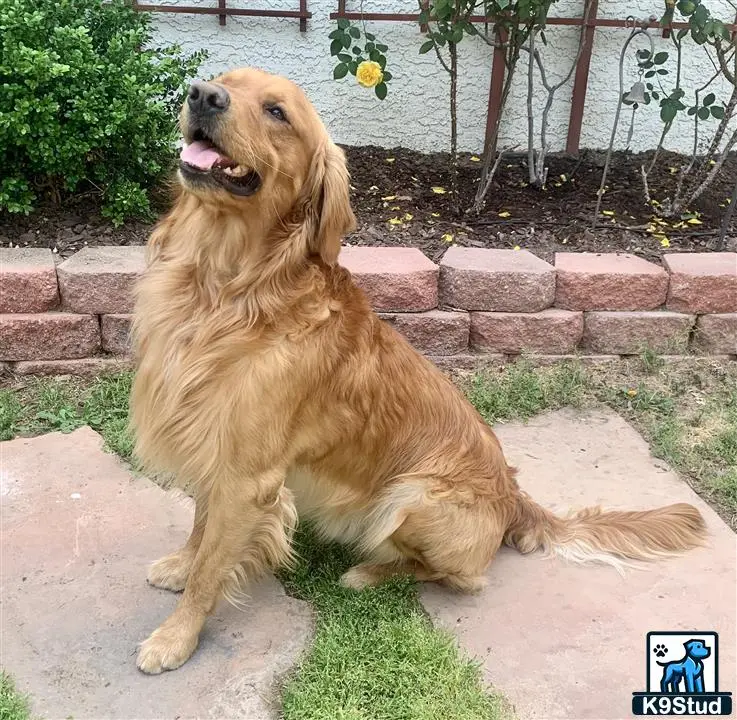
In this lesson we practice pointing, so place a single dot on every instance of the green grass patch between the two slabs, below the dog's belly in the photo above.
(375, 655)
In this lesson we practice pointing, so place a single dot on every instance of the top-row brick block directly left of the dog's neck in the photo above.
(100, 280)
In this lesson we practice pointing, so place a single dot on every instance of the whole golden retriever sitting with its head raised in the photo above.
(270, 390)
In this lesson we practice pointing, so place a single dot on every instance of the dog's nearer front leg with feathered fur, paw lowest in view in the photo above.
(238, 517)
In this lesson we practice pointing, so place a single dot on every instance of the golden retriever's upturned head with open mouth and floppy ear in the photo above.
(254, 139)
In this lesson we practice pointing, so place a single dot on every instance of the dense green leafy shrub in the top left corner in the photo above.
(82, 103)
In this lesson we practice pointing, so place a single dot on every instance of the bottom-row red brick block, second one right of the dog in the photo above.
(550, 331)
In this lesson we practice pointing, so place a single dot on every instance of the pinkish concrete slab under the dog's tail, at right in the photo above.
(562, 641)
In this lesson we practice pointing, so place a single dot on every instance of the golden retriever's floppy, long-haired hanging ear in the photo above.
(330, 216)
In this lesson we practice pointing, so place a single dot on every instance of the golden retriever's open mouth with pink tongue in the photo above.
(201, 160)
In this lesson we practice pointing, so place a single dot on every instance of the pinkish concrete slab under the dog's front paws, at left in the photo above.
(77, 534)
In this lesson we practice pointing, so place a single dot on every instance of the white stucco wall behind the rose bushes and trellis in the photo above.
(415, 112)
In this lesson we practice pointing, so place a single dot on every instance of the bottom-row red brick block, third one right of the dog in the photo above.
(629, 333)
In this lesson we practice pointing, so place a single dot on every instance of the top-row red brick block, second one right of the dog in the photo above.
(495, 280)
